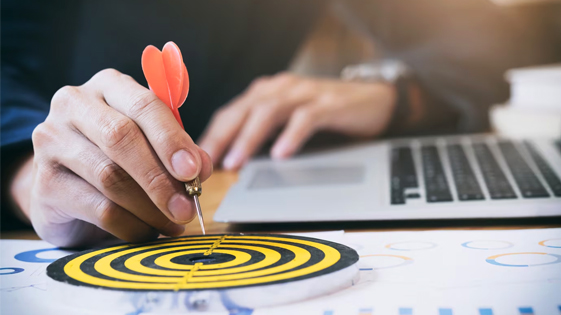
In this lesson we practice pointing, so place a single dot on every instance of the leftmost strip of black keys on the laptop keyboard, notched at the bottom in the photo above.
(403, 174)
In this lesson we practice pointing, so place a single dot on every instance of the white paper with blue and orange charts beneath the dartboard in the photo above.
(403, 273)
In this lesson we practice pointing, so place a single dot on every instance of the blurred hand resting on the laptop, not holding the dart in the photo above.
(303, 106)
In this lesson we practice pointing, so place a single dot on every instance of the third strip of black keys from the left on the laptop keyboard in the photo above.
(464, 178)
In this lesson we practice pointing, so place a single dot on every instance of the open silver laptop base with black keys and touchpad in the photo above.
(451, 177)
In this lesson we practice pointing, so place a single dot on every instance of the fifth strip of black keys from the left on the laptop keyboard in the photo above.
(526, 180)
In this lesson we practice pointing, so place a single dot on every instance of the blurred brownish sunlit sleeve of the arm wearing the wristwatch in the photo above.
(458, 50)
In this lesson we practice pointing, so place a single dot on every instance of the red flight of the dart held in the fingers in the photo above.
(167, 75)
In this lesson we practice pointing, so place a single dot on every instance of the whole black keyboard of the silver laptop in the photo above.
(468, 186)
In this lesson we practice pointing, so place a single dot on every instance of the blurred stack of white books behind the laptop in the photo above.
(534, 108)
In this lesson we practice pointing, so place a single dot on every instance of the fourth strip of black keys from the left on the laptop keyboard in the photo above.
(495, 179)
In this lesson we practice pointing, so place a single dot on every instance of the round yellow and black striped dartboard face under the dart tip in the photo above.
(203, 262)
